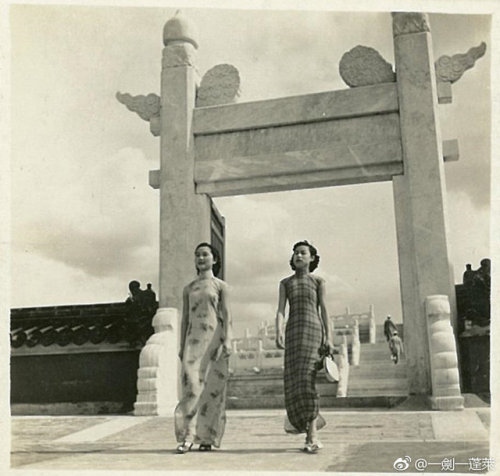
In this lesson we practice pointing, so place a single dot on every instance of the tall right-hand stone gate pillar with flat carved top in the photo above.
(419, 194)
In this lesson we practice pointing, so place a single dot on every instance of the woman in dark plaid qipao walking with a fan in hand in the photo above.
(307, 338)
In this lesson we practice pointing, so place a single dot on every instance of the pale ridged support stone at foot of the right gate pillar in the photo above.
(444, 364)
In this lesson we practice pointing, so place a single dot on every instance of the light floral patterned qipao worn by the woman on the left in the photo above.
(200, 415)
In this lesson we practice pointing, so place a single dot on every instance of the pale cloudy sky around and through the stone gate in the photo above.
(84, 221)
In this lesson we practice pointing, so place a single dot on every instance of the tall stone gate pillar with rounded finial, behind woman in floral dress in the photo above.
(184, 215)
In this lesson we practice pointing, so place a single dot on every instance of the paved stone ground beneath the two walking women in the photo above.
(355, 441)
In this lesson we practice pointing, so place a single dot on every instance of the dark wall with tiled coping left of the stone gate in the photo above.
(77, 358)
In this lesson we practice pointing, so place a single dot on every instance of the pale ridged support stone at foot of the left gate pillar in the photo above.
(157, 373)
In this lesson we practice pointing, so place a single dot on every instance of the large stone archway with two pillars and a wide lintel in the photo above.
(382, 128)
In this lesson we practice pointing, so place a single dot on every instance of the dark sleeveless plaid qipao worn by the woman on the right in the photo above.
(304, 336)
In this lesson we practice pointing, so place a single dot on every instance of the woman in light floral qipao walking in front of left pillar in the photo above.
(205, 339)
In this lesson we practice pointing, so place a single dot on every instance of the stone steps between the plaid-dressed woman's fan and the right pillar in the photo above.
(376, 374)
